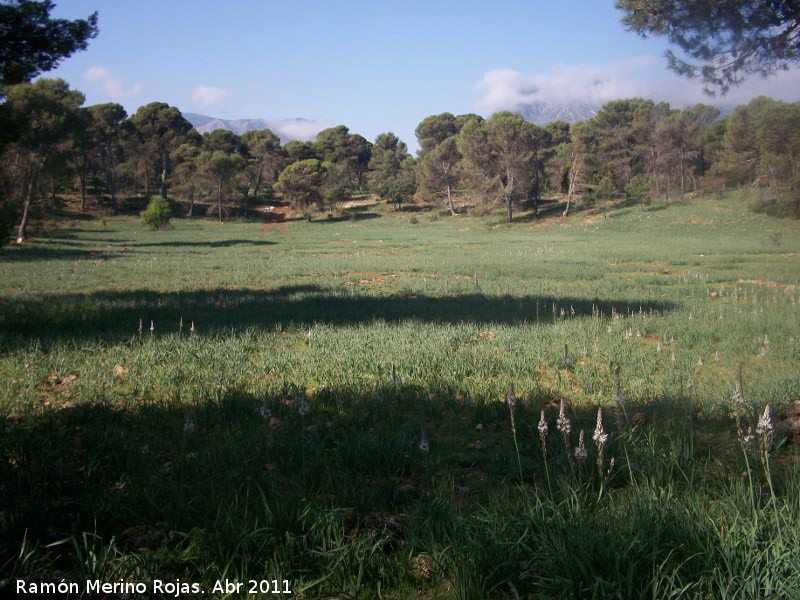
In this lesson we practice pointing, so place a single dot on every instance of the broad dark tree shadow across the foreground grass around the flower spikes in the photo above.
(337, 484)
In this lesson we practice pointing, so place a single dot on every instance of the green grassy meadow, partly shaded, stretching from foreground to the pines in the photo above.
(341, 499)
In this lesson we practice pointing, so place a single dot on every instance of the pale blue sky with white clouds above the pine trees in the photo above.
(376, 65)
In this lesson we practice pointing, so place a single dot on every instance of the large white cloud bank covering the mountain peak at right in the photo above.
(644, 76)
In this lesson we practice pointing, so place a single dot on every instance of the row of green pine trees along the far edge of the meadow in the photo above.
(52, 144)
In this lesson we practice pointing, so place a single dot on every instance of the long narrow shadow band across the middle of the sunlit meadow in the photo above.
(117, 313)
